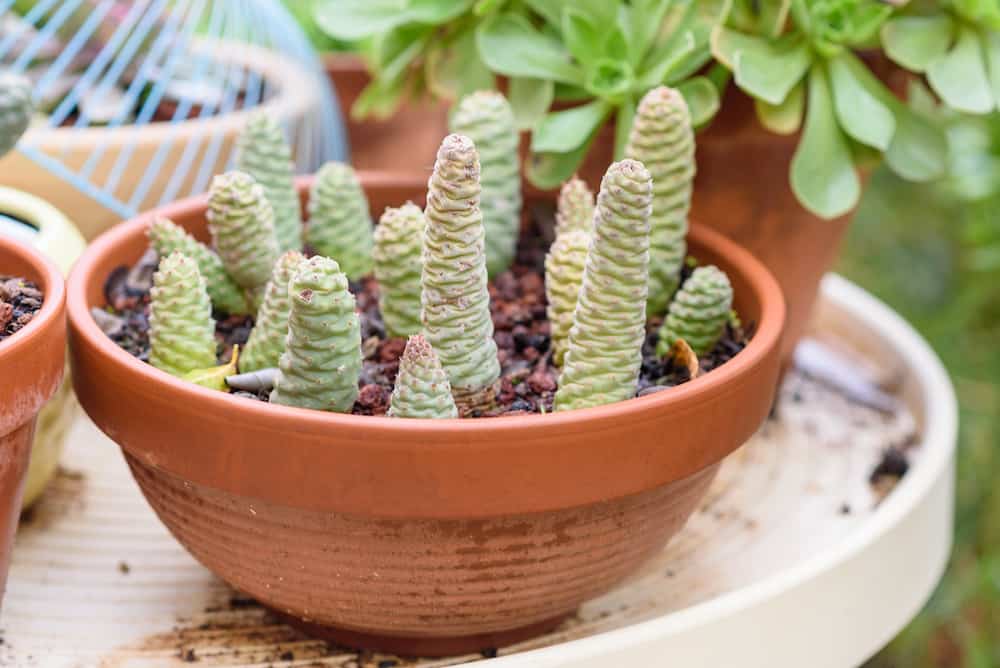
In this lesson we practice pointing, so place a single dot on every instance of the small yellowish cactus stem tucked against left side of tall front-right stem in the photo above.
(564, 266)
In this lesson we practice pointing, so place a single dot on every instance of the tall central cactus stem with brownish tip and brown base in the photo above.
(454, 298)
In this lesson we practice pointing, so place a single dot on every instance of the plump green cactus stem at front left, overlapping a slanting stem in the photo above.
(322, 360)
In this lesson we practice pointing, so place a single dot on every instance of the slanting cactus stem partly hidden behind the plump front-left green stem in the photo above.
(267, 339)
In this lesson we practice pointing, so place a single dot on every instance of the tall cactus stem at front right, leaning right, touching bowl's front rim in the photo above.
(609, 325)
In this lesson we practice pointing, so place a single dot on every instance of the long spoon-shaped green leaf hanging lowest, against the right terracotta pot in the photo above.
(823, 176)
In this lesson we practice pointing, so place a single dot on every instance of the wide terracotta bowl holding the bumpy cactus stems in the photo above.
(419, 536)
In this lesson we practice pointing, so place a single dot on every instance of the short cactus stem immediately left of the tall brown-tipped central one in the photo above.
(398, 263)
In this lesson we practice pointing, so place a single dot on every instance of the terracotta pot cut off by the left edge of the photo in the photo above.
(31, 369)
